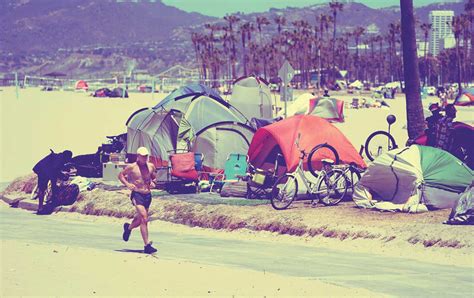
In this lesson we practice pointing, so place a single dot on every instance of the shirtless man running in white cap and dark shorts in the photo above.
(138, 177)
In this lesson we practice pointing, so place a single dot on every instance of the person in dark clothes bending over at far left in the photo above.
(50, 169)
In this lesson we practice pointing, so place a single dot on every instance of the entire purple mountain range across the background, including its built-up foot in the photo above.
(83, 37)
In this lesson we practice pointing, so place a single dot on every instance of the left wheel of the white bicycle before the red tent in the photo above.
(284, 192)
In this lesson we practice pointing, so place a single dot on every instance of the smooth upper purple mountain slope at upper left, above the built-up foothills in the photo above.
(32, 25)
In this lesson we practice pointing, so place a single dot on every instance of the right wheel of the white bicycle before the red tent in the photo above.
(332, 187)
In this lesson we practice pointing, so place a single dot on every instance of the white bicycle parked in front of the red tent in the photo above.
(329, 188)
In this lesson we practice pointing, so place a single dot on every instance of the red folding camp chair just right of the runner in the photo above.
(182, 171)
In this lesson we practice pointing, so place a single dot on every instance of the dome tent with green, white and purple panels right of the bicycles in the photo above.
(411, 176)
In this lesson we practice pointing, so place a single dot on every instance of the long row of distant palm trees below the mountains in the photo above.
(235, 47)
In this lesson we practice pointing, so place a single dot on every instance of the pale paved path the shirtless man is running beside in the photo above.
(393, 276)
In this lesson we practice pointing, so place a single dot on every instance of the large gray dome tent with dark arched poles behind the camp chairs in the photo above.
(190, 122)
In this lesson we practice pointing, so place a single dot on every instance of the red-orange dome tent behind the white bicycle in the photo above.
(314, 131)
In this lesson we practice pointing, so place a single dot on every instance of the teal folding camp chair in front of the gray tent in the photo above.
(235, 168)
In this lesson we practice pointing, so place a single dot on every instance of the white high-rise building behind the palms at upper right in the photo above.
(441, 28)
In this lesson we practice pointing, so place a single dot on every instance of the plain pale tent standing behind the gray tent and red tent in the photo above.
(252, 97)
